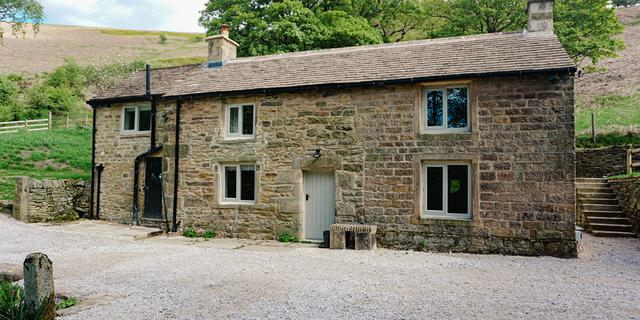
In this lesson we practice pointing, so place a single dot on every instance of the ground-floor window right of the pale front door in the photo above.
(446, 191)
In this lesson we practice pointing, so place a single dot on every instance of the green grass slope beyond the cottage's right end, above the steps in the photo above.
(611, 111)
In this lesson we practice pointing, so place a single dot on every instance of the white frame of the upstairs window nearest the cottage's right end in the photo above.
(445, 121)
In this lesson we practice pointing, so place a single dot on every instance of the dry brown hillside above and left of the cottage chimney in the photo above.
(87, 45)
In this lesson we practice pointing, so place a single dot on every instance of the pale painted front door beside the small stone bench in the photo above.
(319, 193)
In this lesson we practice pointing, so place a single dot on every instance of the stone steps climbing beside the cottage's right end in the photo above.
(603, 212)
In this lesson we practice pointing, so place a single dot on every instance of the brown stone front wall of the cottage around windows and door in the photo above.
(521, 150)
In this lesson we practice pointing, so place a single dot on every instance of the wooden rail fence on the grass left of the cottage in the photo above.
(51, 122)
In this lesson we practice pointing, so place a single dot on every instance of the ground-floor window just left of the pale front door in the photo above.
(239, 183)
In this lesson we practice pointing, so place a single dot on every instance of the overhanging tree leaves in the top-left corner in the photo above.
(17, 13)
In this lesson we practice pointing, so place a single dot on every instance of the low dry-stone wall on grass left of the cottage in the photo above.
(46, 200)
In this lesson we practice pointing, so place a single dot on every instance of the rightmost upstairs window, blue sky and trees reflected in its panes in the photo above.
(447, 109)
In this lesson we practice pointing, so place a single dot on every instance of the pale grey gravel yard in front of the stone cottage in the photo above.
(176, 278)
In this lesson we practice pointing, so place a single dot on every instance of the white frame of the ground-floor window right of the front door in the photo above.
(444, 214)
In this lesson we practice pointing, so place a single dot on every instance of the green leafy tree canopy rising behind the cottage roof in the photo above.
(586, 28)
